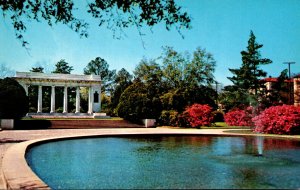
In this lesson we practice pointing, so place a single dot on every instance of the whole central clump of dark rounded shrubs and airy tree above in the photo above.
(170, 86)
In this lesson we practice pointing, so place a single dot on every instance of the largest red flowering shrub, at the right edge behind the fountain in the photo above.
(283, 119)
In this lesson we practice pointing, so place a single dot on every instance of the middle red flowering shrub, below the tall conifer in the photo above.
(238, 117)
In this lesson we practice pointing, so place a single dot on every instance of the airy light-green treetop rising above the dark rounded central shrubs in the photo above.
(181, 71)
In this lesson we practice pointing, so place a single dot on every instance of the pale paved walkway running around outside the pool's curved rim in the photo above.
(13, 137)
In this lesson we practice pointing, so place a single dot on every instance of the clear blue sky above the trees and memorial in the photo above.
(222, 27)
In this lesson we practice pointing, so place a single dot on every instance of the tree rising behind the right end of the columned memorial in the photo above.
(100, 67)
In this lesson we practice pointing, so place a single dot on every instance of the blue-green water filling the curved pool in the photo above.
(168, 162)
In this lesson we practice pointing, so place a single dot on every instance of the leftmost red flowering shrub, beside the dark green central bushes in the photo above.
(197, 115)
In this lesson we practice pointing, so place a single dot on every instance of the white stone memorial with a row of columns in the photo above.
(92, 82)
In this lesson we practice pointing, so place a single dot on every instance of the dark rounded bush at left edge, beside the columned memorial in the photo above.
(13, 99)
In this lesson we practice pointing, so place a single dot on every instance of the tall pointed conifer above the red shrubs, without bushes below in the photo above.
(247, 77)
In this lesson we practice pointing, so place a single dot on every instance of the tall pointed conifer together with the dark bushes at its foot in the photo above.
(247, 87)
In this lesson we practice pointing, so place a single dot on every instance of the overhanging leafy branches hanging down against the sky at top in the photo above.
(115, 14)
